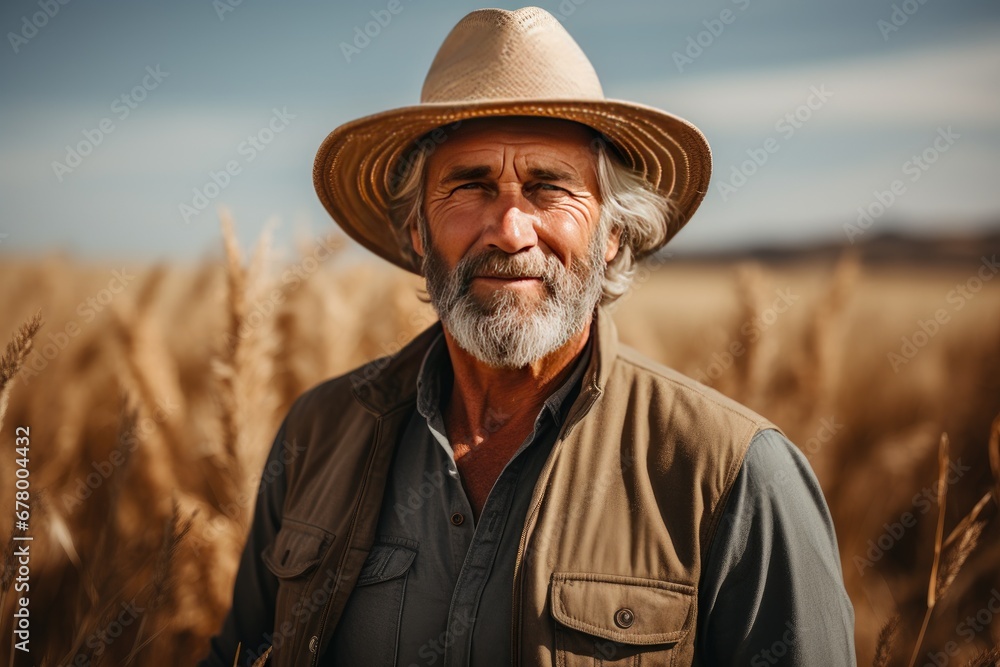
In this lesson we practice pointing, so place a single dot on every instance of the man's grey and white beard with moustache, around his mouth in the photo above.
(510, 330)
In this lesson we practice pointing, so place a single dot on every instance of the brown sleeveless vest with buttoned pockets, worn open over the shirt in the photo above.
(621, 518)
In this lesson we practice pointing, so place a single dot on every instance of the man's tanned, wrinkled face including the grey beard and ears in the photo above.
(513, 254)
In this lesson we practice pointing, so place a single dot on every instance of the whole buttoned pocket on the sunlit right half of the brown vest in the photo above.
(603, 619)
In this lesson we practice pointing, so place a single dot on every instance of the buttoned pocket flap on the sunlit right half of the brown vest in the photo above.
(628, 610)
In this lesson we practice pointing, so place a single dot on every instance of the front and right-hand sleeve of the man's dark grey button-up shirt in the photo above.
(436, 587)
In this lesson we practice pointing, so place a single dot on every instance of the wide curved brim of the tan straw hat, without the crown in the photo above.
(352, 173)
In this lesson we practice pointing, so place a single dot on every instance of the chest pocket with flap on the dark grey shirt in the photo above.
(368, 631)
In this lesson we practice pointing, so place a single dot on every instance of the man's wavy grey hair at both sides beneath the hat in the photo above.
(629, 204)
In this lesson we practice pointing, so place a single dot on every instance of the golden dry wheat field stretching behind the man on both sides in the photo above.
(152, 394)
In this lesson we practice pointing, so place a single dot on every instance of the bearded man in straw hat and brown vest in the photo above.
(514, 486)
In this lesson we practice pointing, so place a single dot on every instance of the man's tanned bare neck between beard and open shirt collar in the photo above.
(483, 394)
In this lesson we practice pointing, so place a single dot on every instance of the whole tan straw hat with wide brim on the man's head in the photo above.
(502, 63)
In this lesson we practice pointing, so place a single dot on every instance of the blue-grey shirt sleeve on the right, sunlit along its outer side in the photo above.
(772, 589)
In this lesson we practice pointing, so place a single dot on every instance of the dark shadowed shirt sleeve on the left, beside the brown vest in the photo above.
(251, 617)
